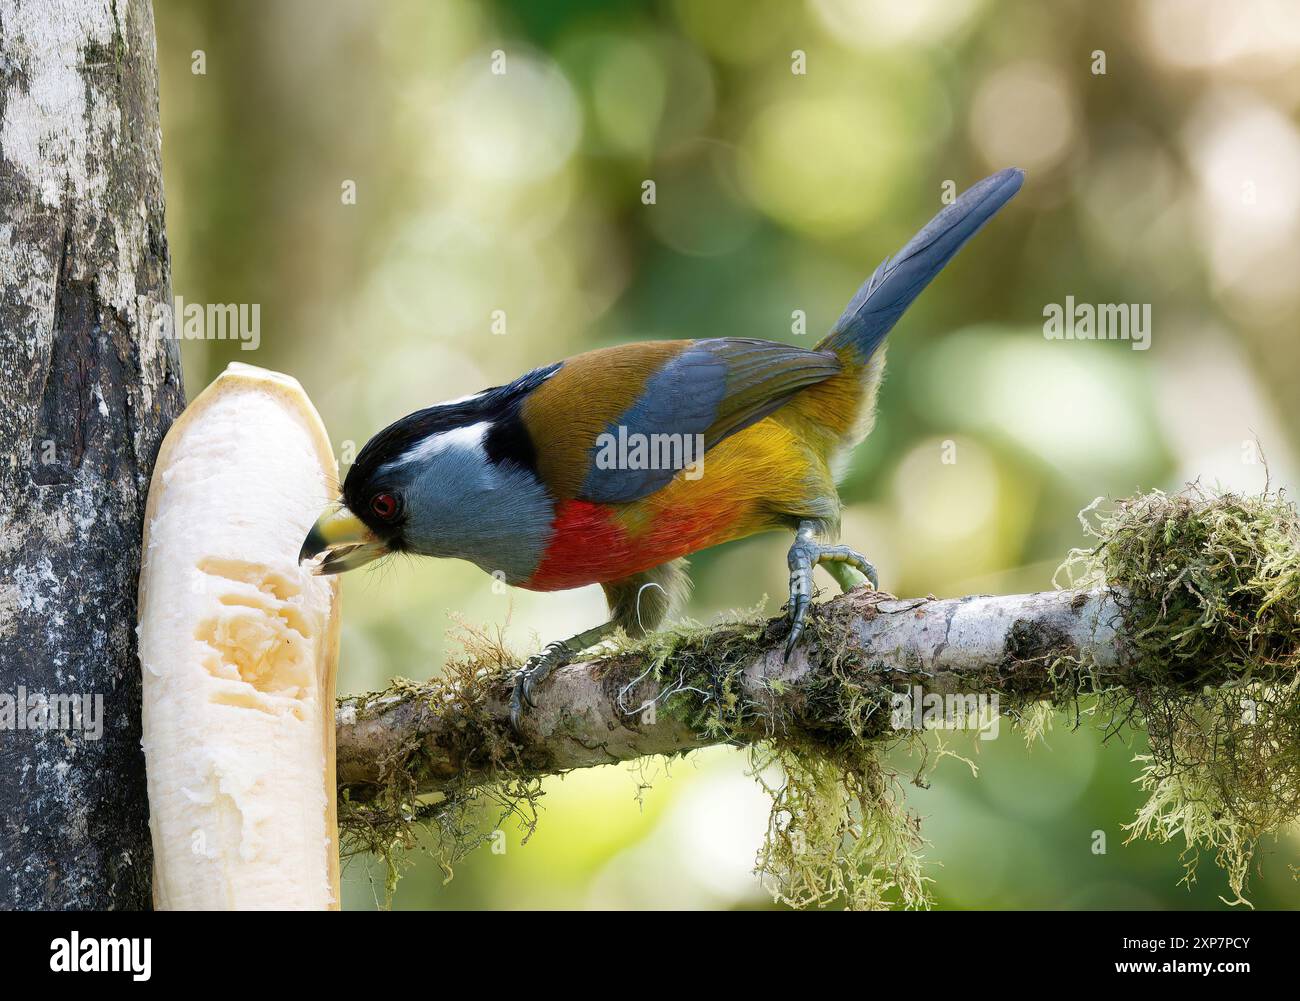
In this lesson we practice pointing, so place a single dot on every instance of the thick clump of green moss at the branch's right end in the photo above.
(1210, 586)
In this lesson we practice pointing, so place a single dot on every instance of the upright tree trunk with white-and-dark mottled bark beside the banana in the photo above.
(86, 395)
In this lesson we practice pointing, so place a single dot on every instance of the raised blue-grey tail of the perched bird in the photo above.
(887, 294)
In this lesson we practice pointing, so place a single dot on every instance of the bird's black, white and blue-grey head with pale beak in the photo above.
(457, 480)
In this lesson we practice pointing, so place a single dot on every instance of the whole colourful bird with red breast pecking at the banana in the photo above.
(614, 466)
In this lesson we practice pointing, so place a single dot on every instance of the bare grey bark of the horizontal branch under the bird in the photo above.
(596, 712)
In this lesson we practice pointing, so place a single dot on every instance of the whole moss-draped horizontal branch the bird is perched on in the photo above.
(1182, 622)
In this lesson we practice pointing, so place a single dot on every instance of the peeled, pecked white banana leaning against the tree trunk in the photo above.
(240, 645)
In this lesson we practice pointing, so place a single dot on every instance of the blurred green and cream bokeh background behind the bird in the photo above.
(1172, 179)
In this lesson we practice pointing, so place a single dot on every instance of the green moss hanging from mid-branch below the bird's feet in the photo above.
(839, 831)
